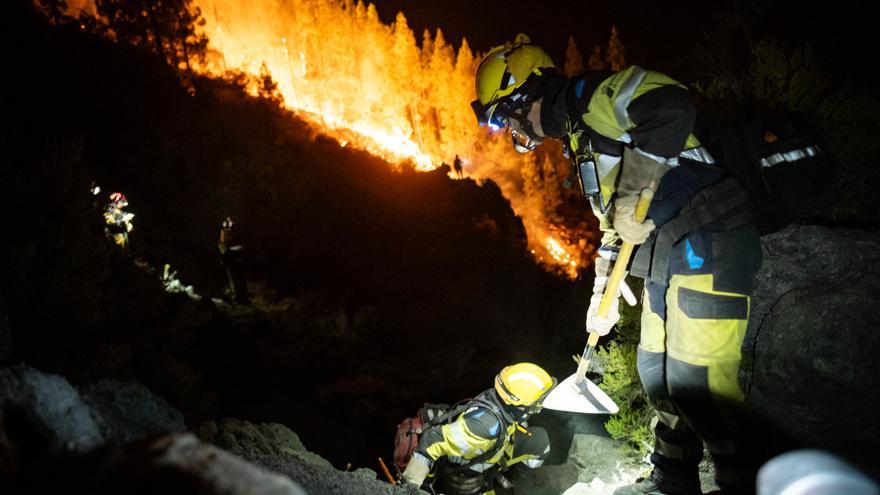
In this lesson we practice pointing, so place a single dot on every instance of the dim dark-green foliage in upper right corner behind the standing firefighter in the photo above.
(754, 72)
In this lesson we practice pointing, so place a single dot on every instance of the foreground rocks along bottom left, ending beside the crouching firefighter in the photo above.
(116, 437)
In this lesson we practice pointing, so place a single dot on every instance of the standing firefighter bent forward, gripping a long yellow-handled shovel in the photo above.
(699, 248)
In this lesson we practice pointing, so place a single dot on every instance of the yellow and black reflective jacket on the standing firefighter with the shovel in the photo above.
(599, 114)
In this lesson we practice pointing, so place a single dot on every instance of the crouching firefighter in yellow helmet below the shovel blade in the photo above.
(468, 455)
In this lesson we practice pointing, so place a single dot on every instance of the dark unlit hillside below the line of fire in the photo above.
(377, 289)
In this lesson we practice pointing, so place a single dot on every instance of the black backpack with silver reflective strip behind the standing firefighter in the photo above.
(786, 173)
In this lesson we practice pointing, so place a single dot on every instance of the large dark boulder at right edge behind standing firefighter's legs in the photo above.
(809, 367)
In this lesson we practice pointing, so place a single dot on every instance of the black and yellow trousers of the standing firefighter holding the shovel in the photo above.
(689, 355)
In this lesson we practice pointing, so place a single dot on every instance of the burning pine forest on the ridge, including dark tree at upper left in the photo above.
(369, 84)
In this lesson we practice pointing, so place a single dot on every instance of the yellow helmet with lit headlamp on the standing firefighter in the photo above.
(501, 77)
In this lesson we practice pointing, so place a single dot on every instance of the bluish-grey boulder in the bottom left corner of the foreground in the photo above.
(45, 423)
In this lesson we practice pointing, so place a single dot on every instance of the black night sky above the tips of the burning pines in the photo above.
(657, 35)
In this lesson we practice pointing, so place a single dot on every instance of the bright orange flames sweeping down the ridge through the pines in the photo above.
(371, 86)
